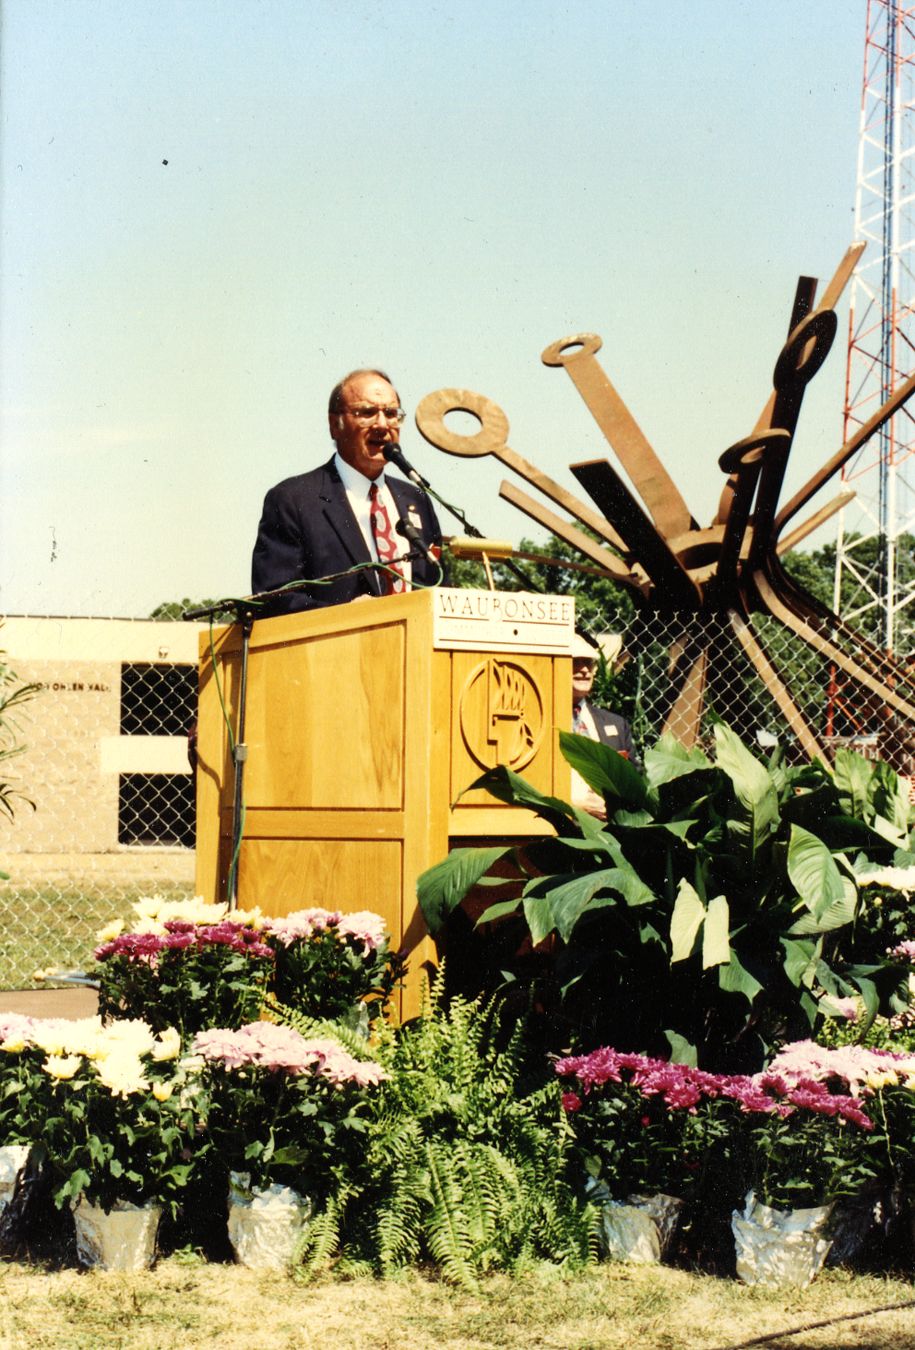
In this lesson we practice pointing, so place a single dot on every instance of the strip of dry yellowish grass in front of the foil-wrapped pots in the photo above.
(659, 1309)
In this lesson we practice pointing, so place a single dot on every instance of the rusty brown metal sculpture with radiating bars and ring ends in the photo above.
(731, 568)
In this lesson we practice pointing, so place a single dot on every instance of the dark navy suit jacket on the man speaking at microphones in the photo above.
(308, 531)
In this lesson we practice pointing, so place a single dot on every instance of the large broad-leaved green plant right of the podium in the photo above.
(711, 912)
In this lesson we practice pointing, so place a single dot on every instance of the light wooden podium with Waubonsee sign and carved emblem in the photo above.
(365, 723)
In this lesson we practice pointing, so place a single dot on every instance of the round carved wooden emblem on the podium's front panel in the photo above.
(501, 715)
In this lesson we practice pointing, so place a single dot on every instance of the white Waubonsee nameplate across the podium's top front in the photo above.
(514, 622)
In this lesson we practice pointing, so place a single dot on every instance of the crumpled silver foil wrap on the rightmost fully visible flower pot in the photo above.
(779, 1248)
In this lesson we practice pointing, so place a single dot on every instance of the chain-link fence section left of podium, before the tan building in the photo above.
(105, 761)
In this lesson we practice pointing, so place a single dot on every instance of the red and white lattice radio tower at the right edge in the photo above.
(874, 591)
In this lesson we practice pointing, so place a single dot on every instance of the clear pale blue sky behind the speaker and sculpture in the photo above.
(438, 190)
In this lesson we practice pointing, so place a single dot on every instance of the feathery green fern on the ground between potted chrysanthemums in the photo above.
(468, 1156)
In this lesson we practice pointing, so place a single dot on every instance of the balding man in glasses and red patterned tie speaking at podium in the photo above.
(349, 529)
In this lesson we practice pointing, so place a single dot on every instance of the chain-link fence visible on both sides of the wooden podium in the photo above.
(106, 749)
